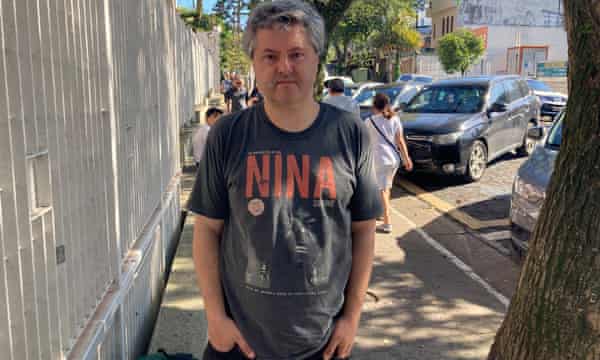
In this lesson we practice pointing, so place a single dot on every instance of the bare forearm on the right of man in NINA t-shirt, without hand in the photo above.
(363, 240)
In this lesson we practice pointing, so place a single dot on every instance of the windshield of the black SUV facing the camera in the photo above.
(448, 99)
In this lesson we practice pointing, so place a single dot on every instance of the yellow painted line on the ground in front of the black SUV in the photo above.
(449, 209)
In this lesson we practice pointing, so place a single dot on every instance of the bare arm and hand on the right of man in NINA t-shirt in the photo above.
(342, 339)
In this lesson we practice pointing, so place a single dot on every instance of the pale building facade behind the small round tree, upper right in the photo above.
(504, 25)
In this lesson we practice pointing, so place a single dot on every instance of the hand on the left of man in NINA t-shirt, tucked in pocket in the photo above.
(223, 335)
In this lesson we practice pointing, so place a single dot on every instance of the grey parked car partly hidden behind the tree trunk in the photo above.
(531, 181)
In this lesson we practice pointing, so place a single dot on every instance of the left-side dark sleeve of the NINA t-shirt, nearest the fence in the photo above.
(209, 196)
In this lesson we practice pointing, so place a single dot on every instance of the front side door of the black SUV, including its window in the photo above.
(499, 124)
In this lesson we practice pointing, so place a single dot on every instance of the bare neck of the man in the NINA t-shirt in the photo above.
(293, 118)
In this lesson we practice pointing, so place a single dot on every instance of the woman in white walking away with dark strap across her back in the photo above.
(390, 151)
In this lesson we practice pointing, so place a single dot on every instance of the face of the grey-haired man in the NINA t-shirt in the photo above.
(285, 64)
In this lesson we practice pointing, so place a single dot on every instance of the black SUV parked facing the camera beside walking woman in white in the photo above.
(458, 126)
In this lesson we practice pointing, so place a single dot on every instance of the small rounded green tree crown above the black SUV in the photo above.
(459, 50)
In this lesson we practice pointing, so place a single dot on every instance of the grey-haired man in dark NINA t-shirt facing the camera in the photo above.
(285, 204)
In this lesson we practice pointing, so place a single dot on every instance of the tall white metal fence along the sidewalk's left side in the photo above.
(92, 96)
